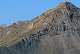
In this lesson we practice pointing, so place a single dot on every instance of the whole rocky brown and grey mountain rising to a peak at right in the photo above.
(56, 31)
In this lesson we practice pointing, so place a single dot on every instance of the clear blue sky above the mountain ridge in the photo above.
(15, 10)
